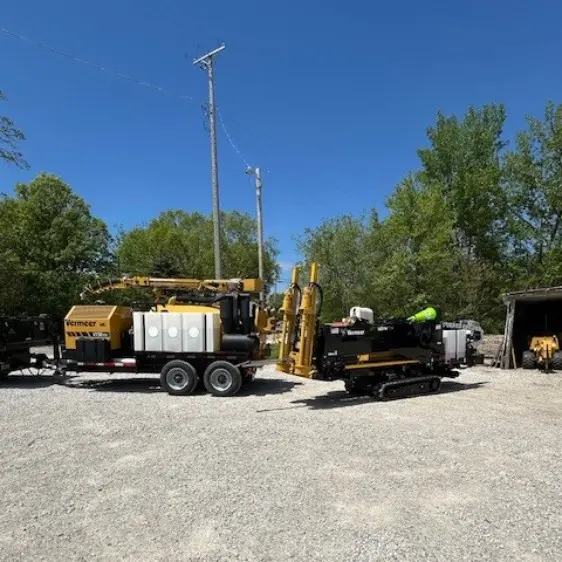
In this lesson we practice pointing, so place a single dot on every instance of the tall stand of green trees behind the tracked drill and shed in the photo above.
(478, 218)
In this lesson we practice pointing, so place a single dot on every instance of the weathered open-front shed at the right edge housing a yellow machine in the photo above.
(532, 312)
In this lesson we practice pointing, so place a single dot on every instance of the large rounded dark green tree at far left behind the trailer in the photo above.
(50, 247)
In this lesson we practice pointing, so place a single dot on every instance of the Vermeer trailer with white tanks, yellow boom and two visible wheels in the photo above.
(217, 341)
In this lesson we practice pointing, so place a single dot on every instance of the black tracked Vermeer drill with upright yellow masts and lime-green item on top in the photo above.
(387, 358)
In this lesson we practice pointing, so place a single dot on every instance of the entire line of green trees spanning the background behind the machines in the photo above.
(478, 218)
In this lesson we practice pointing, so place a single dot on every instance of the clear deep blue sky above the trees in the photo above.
(332, 99)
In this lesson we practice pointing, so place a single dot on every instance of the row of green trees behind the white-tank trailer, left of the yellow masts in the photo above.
(52, 247)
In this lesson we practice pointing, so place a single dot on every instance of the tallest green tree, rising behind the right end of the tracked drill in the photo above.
(465, 164)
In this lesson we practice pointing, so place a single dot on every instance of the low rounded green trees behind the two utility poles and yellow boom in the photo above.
(183, 243)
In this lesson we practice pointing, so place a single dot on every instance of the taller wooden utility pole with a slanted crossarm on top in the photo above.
(206, 62)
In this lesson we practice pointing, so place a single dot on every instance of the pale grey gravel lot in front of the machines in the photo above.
(289, 470)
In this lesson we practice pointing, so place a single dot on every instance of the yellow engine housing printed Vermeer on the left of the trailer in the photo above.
(97, 322)
